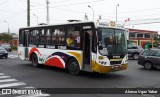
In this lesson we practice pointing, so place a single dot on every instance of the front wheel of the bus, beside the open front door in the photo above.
(73, 67)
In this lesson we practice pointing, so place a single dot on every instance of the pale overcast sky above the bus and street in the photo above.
(141, 14)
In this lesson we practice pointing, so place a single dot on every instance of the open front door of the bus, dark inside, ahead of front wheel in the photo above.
(87, 46)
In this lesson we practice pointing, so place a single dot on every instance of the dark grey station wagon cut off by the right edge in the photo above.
(150, 59)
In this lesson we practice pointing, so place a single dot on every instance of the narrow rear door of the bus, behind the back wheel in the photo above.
(26, 43)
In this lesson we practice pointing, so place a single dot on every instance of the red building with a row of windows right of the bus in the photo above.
(142, 37)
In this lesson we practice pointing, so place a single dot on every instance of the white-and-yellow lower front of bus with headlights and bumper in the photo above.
(103, 64)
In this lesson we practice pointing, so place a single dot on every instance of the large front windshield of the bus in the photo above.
(113, 41)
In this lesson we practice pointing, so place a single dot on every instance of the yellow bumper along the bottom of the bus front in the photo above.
(106, 69)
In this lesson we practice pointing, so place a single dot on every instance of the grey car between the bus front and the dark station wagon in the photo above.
(134, 51)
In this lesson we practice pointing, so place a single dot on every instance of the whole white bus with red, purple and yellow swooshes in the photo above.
(76, 46)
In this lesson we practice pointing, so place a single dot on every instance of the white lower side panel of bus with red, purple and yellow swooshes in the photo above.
(55, 57)
